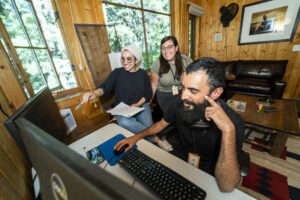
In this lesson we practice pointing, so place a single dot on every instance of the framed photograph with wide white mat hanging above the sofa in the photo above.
(269, 21)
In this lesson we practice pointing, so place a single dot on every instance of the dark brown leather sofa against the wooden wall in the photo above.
(255, 77)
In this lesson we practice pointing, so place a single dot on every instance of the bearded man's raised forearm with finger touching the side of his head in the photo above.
(227, 170)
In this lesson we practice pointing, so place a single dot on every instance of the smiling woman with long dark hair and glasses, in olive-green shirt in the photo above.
(167, 72)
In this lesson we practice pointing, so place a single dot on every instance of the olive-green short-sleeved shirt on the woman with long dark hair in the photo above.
(167, 80)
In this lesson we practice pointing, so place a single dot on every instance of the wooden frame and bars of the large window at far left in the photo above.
(57, 90)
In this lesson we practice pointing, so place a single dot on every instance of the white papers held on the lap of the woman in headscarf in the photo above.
(125, 110)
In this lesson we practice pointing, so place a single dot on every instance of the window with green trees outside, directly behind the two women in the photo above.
(134, 23)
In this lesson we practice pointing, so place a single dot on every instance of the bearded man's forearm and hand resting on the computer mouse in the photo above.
(152, 130)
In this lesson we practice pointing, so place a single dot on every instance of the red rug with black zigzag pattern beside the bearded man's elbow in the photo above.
(267, 182)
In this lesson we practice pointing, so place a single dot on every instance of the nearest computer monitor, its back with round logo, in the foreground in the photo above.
(64, 174)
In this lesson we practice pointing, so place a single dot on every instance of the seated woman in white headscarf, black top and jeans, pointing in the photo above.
(131, 85)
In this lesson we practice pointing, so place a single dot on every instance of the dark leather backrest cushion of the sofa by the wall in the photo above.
(267, 69)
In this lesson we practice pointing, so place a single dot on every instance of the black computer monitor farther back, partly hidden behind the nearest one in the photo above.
(41, 110)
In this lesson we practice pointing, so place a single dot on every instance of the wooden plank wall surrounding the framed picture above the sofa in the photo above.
(228, 48)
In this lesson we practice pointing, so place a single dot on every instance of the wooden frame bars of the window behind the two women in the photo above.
(171, 15)
